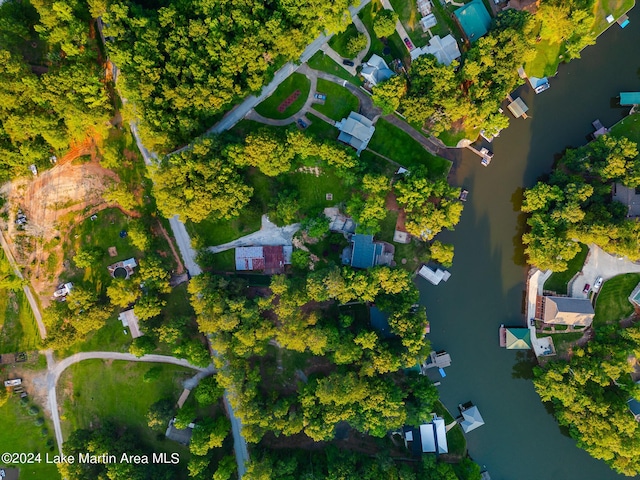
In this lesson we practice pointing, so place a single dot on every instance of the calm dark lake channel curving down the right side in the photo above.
(521, 440)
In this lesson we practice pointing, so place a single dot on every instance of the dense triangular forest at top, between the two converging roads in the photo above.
(185, 63)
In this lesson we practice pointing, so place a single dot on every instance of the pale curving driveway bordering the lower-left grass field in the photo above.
(55, 369)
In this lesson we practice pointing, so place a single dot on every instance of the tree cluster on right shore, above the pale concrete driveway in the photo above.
(575, 205)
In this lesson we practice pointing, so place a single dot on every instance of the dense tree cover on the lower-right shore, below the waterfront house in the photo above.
(589, 395)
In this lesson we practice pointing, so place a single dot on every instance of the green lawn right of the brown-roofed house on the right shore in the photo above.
(613, 303)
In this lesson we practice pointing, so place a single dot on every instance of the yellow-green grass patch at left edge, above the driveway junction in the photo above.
(18, 328)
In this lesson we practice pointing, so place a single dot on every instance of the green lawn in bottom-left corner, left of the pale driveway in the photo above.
(19, 434)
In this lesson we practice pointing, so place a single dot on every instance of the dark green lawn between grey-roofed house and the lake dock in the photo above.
(396, 144)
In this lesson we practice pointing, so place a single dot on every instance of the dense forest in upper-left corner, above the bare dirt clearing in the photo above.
(52, 90)
